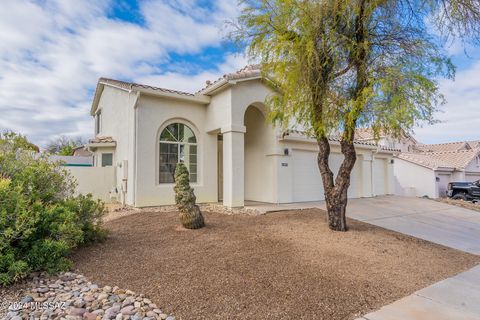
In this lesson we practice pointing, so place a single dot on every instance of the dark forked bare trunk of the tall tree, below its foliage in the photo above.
(336, 192)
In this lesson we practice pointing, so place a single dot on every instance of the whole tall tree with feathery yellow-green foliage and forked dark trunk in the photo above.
(339, 65)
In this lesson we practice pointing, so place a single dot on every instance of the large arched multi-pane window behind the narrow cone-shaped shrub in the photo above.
(177, 144)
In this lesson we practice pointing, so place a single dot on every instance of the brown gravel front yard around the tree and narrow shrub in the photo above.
(283, 265)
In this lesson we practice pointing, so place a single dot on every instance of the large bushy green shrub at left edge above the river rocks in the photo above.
(41, 222)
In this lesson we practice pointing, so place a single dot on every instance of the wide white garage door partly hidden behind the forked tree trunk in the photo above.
(307, 181)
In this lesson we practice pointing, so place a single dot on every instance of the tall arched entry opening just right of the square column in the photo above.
(259, 165)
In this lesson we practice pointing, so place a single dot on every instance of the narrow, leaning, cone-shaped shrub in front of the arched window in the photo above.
(190, 215)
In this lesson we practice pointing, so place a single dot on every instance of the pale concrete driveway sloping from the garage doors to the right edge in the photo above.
(430, 220)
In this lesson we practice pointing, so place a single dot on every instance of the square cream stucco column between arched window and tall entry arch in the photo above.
(233, 166)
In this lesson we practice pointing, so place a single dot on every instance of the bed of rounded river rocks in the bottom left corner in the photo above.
(70, 296)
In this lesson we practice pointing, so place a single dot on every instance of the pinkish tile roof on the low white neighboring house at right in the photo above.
(446, 159)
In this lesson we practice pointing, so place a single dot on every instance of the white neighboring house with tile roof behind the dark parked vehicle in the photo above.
(429, 168)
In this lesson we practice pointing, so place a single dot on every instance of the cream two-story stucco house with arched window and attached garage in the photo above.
(220, 133)
